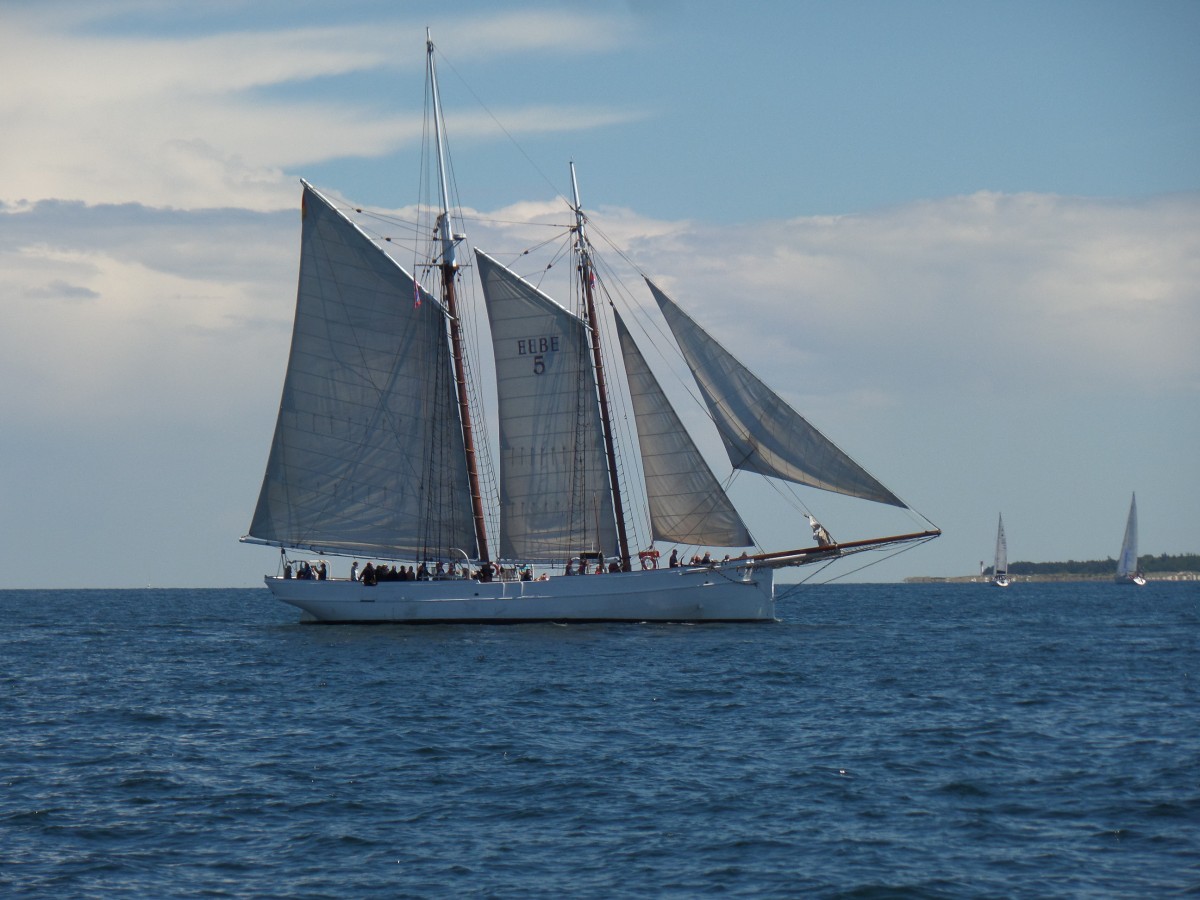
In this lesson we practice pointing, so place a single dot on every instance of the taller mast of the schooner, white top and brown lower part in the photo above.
(449, 267)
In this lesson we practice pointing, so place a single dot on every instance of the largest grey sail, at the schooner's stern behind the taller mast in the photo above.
(368, 455)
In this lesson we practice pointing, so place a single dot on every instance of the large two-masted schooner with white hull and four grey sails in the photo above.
(379, 452)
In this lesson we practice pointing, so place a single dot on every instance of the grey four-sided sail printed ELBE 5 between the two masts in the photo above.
(556, 499)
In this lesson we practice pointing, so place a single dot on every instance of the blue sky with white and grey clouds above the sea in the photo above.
(962, 238)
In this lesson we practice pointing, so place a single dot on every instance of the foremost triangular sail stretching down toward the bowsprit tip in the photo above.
(761, 433)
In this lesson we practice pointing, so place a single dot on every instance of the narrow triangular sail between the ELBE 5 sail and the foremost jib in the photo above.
(686, 501)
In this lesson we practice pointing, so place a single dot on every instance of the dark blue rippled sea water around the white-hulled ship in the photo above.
(881, 741)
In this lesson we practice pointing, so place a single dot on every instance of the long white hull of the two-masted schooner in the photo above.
(722, 593)
